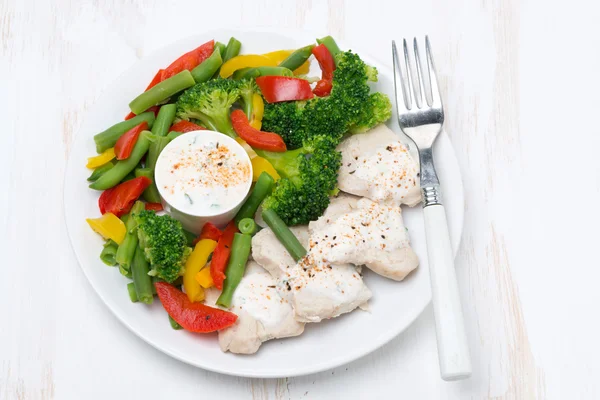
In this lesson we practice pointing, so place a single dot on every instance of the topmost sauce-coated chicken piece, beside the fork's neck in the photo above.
(376, 165)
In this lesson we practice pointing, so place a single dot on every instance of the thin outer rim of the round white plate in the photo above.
(343, 359)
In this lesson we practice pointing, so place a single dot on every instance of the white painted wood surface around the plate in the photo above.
(520, 82)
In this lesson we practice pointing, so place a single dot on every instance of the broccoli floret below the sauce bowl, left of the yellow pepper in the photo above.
(164, 243)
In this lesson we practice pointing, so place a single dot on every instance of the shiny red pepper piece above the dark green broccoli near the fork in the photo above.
(284, 88)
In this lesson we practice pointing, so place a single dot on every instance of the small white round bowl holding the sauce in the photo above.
(194, 221)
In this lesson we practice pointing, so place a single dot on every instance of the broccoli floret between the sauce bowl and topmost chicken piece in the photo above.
(309, 176)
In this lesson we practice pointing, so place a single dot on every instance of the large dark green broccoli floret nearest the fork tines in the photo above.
(349, 107)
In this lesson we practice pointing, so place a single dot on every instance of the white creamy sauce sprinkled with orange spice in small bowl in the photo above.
(203, 173)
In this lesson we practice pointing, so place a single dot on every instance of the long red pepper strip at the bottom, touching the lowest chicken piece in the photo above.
(194, 317)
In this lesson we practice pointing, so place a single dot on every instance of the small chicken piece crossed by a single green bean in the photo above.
(268, 251)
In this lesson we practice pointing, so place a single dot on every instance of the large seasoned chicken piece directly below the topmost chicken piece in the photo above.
(369, 234)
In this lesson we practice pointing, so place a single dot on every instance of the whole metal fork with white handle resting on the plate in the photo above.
(422, 121)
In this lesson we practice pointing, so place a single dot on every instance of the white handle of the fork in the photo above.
(453, 351)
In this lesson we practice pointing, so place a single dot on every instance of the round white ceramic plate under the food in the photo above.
(395, 305)
